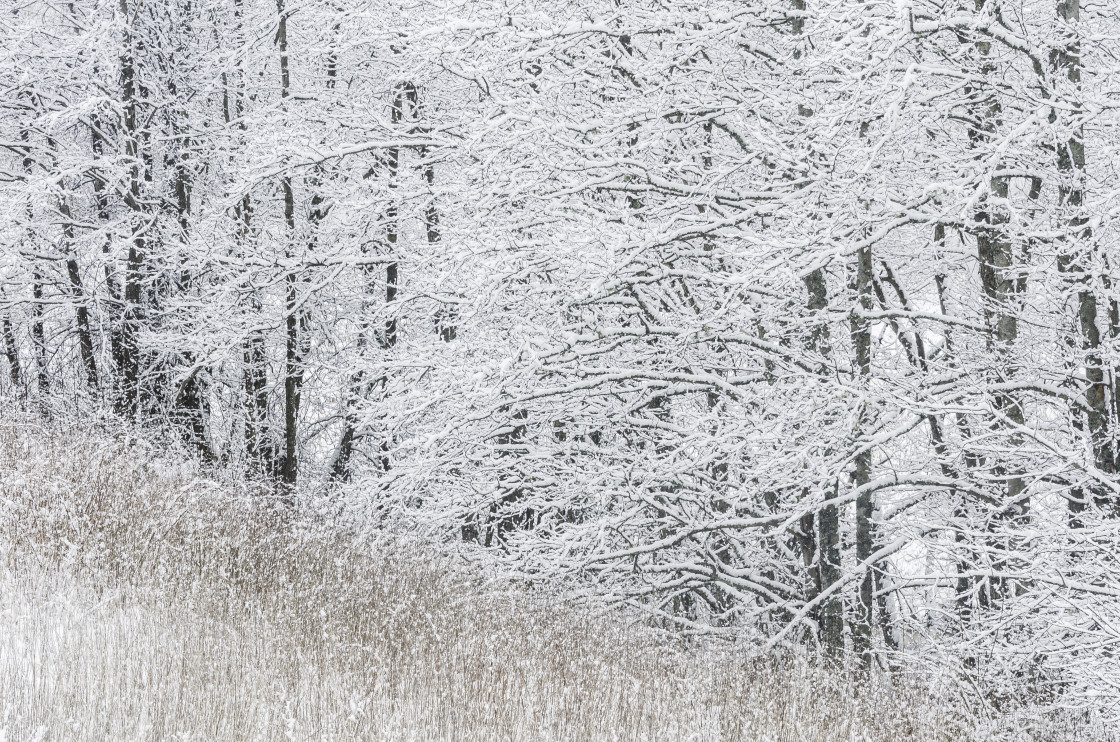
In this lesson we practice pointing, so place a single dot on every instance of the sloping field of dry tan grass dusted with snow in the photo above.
(145, 599)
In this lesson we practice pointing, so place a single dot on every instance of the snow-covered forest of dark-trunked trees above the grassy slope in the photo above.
(786, 324)
